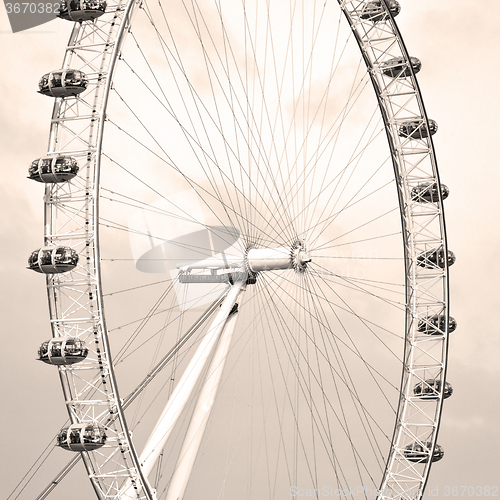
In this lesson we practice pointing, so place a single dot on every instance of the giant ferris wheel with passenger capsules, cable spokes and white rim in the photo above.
(245, 250)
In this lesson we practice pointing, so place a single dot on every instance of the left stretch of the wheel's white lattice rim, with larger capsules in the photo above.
(71, 218)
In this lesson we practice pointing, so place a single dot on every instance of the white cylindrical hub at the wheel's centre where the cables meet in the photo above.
(273, 259)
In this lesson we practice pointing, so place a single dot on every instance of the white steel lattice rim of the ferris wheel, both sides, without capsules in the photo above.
(72, 218)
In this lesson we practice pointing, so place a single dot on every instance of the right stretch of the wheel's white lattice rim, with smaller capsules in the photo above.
(423, 229)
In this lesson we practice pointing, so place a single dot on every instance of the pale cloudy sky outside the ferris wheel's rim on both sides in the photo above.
(457, 42)
